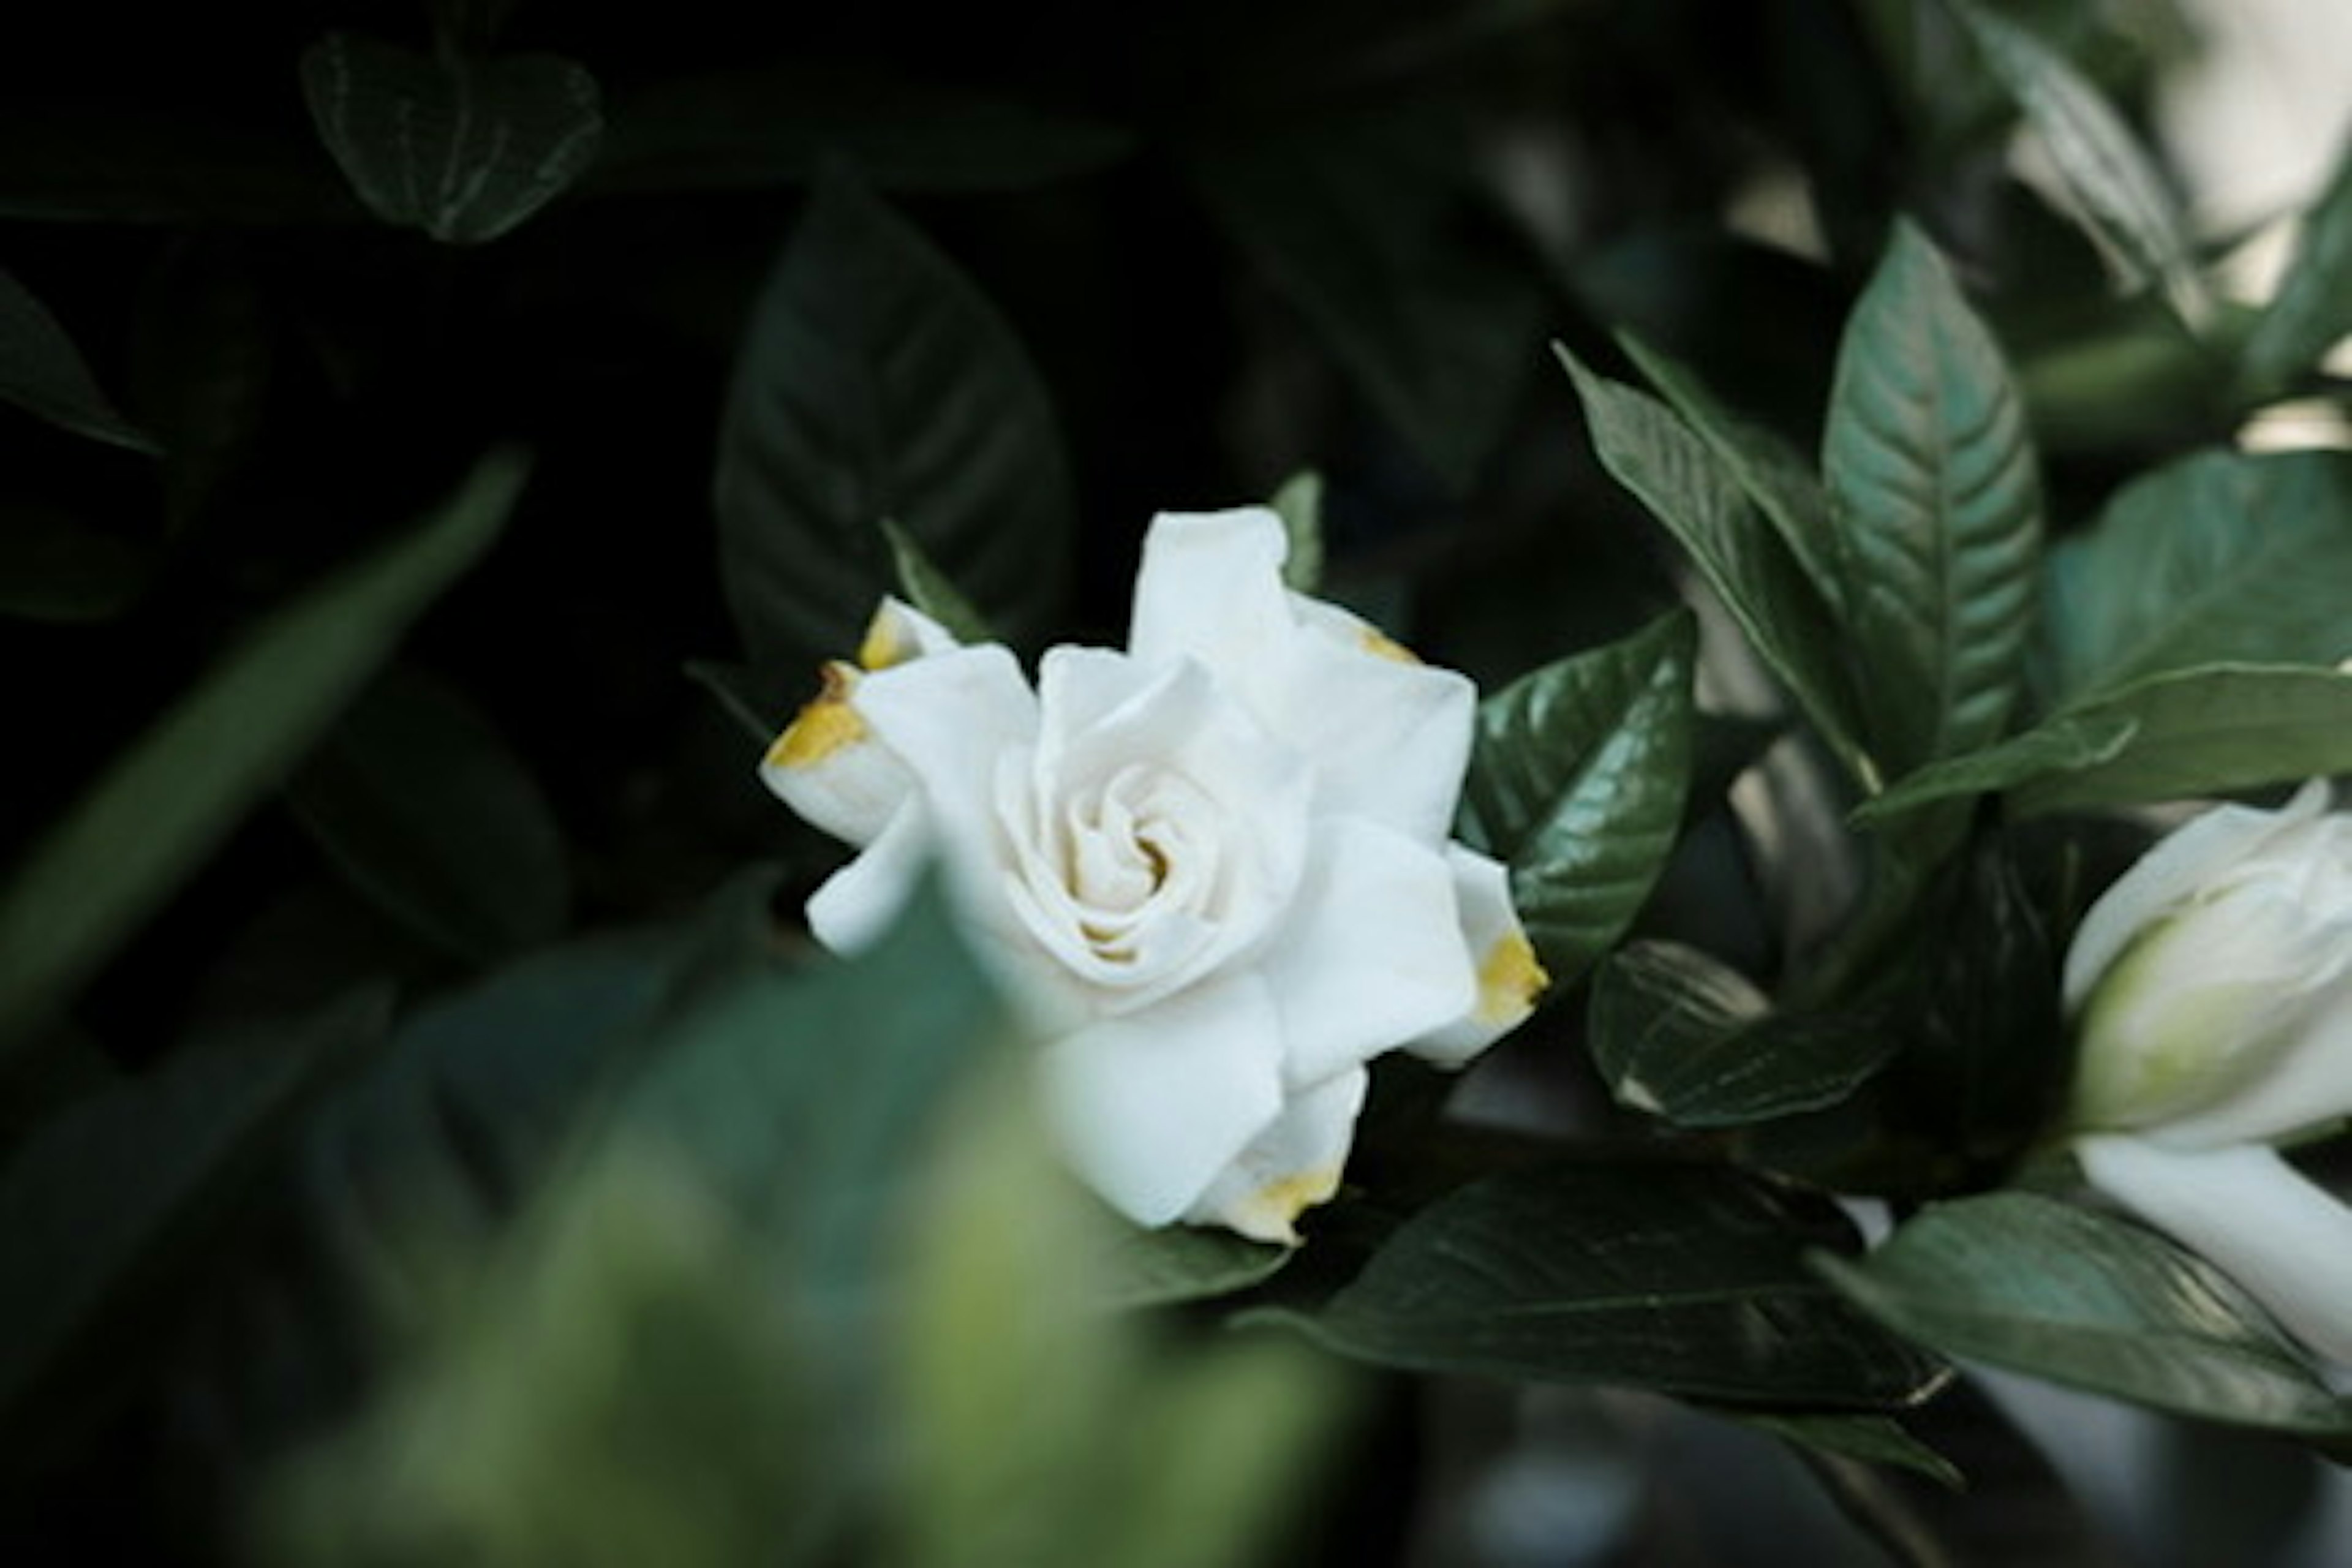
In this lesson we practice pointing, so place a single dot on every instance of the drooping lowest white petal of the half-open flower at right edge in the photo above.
(2257, 1219)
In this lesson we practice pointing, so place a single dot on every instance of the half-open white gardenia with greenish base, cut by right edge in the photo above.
(2214, 1000)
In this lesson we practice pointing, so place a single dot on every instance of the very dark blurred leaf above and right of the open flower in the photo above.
(1379, 232)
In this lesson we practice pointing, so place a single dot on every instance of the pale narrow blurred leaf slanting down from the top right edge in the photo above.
(2104, 170)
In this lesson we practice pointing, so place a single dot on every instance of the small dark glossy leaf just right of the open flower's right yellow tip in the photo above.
(1688, 1038)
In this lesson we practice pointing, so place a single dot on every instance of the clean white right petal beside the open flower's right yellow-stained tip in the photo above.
(1372, 956)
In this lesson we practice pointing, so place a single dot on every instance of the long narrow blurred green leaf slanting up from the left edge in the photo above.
(182, 786)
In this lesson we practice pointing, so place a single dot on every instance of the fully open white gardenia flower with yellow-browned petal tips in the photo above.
(1215, 869)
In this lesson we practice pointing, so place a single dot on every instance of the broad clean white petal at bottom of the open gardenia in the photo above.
(1154, 1106)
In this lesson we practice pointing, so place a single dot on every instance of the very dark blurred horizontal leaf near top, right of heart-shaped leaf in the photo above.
(780, 126)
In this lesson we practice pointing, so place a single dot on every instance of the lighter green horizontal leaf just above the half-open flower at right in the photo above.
(2210, 732)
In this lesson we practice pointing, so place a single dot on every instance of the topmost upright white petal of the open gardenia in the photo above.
(1210, 589)
